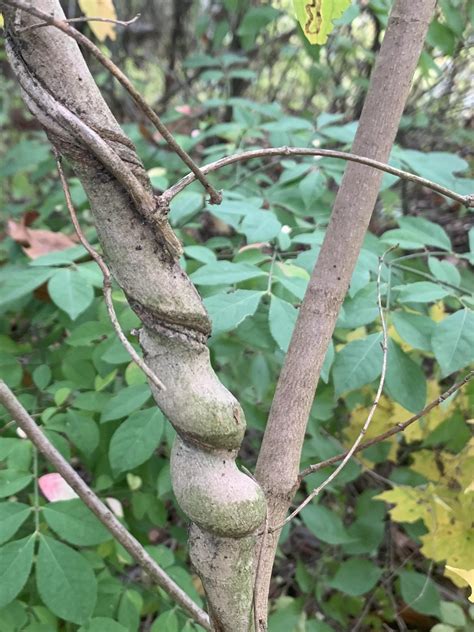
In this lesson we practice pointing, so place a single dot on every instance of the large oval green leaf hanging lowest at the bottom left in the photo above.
(65, 581)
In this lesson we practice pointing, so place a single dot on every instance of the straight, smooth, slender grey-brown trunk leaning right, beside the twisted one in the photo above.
(279, 458)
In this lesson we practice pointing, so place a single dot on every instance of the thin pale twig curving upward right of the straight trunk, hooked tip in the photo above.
(373, 408)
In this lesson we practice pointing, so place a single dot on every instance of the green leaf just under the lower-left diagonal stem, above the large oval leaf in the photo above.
(75, 523)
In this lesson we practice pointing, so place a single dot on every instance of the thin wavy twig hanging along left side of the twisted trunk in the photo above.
(107, 286)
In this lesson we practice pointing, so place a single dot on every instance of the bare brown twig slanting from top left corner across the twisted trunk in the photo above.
(215, 196)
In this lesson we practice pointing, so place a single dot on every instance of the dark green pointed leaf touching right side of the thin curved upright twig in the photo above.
(405, 381)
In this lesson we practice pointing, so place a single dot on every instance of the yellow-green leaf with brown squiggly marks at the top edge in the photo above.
(316, 17)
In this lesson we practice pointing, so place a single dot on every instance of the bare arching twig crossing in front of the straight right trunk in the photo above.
(466, 200)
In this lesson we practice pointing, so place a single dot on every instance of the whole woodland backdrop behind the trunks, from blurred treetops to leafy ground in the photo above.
(229, 76)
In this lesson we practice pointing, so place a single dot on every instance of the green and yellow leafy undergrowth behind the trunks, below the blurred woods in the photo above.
(373, 553)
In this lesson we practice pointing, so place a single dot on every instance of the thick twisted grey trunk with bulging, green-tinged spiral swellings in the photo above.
(225, 506)
